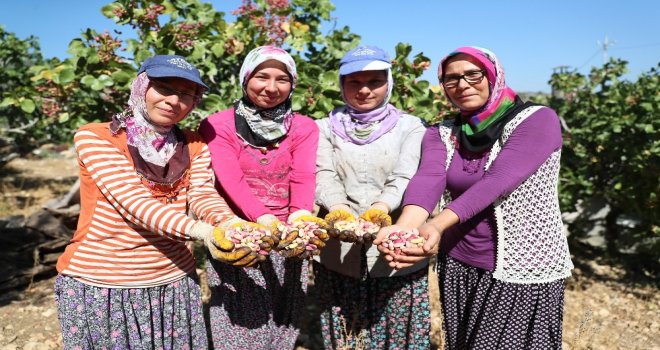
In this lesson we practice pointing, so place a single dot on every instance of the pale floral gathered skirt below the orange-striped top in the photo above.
(161, 317)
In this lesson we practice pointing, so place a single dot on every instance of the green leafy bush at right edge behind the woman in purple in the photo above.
(612, 149)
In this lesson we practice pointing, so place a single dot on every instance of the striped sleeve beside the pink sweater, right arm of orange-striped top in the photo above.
(205, 201)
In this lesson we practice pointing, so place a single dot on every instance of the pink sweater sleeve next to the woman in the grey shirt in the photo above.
(303, 165)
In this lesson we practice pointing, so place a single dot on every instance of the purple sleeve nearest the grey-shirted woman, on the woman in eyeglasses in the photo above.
(428, 184)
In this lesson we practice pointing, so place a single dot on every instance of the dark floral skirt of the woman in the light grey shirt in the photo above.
(373, 313)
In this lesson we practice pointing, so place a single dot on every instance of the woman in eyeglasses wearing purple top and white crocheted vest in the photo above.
(503, 256)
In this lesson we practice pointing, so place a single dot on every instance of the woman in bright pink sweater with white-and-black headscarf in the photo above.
(264, 158)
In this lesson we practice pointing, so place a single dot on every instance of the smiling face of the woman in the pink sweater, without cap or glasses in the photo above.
(269, 85)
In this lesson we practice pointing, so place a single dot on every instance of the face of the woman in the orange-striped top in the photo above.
(169, 100)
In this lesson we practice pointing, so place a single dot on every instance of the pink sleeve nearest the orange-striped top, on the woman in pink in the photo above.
(224, 147)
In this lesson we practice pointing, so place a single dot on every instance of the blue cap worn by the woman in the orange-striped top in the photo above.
(171, 66)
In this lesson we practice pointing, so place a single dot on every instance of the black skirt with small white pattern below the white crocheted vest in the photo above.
(481, 312)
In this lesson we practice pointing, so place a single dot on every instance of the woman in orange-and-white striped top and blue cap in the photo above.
(127, 280)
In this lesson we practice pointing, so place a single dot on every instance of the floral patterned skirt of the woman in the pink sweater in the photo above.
(257, 308)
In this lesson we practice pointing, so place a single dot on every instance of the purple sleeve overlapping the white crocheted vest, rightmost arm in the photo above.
(528, 147)
